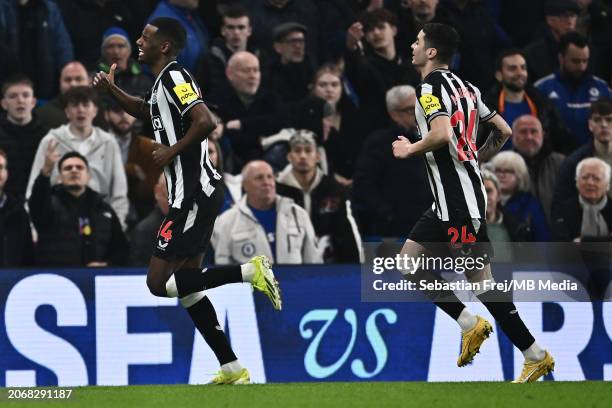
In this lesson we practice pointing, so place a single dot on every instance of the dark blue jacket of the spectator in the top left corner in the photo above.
(54, 46)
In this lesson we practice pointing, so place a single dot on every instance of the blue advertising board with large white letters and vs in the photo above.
(84, 327)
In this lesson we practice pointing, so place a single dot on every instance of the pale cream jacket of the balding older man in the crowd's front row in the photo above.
(238, 236)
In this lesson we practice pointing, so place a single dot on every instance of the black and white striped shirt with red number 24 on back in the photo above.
(453, 171)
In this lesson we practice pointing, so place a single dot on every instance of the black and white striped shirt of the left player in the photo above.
(173, 94)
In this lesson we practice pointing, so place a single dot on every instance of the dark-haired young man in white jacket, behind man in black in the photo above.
(105, 169)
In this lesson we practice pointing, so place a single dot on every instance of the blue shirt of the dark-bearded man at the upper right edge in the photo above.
(574, 100)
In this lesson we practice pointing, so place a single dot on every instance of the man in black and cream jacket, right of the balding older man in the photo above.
(324, 199)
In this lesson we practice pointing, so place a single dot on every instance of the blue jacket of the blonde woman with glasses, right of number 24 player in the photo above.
(527, 209)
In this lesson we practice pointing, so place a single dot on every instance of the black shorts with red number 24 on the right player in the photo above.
(457, 238)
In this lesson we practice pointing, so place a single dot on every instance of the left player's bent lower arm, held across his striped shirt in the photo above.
(202, 125)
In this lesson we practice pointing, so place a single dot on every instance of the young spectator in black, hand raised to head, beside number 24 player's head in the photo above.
(377, 68)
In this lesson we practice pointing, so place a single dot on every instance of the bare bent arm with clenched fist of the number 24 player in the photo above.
(439, 135)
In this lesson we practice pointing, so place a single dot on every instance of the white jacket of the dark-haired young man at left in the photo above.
(105, 165)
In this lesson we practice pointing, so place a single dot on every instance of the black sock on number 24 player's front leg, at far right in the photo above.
(504, 311)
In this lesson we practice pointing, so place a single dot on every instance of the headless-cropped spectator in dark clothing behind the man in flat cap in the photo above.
(267, 14)
